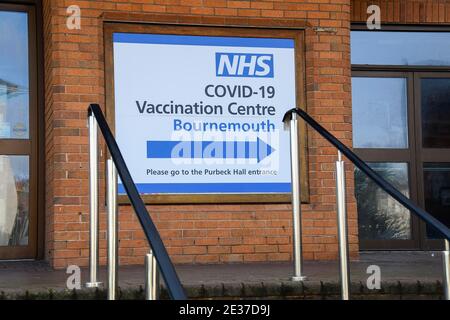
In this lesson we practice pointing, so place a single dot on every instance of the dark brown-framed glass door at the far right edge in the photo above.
(432, 95)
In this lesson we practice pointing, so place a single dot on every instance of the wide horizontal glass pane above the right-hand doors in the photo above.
(400, 48)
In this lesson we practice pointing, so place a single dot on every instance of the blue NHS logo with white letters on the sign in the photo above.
(244, 65)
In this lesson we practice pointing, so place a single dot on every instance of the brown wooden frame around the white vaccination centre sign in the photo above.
(187, 28)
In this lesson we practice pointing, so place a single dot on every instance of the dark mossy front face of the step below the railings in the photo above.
(309, 290)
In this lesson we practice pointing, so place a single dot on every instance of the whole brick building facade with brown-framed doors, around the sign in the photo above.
(56, 64)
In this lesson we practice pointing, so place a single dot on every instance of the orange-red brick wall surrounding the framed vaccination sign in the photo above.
(193, 233)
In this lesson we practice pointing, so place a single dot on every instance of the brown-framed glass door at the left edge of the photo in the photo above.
(18, 133)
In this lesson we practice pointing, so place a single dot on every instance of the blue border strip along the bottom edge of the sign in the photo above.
(180, 188)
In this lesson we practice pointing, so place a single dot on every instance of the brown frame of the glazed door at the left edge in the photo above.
(33, 146)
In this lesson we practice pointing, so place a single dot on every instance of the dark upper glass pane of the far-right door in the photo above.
(435, 104)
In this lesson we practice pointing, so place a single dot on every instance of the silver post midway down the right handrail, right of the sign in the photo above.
(342, 228)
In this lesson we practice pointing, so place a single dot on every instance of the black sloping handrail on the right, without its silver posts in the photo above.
(380, 181)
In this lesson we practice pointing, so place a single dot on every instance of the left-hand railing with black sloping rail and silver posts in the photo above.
(161, 257)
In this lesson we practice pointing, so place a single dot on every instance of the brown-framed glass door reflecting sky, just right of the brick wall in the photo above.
(383, 136)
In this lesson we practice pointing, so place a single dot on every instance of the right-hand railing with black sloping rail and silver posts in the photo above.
(341, 203)
